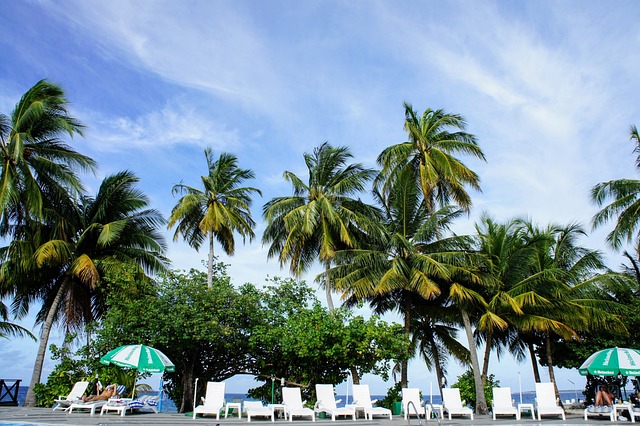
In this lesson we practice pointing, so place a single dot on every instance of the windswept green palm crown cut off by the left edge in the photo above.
(34, 161)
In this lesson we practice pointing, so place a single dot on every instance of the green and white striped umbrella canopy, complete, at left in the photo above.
(141, 357)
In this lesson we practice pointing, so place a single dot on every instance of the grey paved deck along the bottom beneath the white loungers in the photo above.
(48, 416)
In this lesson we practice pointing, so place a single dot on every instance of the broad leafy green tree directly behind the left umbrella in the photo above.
(205, 333)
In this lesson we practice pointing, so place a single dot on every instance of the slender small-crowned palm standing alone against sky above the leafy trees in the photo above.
(217, 211)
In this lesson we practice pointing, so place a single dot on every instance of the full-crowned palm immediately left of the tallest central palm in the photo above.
(321, 217)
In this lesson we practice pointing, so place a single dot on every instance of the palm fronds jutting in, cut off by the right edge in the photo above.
(625, 204)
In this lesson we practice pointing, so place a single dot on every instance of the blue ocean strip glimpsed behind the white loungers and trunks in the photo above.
(527, 397)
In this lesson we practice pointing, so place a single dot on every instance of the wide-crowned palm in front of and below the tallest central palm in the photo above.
(407, 260)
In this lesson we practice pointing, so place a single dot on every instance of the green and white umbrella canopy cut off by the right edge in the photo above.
(611, 362)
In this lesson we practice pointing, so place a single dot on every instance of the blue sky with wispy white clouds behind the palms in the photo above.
(549, 89)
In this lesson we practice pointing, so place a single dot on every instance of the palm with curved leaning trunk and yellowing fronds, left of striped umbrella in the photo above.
(64, 272)
